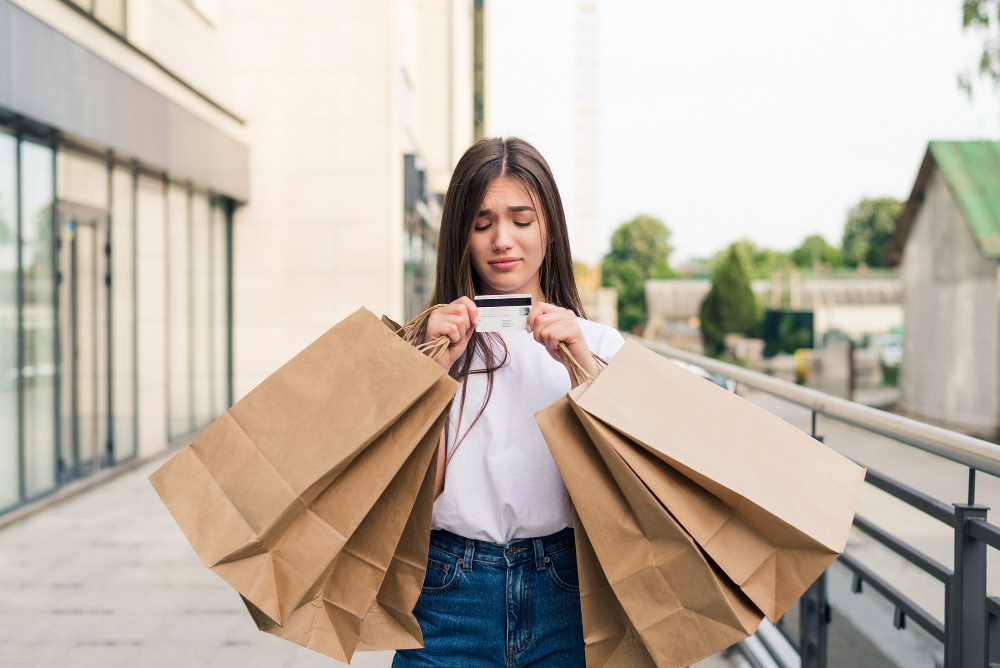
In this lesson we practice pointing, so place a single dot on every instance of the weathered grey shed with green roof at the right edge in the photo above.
(948, 245)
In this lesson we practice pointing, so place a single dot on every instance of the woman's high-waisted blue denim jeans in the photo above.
(488, 605)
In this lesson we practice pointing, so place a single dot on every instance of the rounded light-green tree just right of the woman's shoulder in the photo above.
(640, 250)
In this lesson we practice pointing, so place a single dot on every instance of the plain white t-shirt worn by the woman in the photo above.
(502, 483)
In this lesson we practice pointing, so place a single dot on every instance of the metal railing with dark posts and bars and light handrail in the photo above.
(970, 633)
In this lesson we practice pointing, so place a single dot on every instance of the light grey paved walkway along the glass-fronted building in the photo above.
(106, 579)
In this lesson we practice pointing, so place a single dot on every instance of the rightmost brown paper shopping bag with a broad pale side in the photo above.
(770, 505)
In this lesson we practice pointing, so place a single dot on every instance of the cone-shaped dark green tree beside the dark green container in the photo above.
(730, 306)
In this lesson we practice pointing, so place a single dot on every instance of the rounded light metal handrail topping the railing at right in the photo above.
(968, 450)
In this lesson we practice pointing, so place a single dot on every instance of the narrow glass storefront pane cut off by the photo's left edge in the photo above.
(10, 436)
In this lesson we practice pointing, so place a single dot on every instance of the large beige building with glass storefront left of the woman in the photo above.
(191, 191)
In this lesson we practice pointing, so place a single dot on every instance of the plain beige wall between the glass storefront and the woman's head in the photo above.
(332, 105)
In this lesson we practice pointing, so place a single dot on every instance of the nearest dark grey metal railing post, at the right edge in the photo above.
(965, 616)
